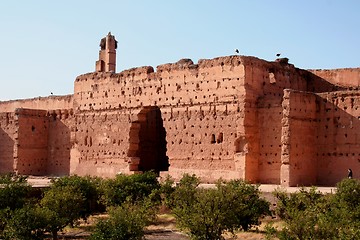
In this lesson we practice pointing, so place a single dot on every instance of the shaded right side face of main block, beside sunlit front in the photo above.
(264, 86)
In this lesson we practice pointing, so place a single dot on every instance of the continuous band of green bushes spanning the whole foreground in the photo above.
(131, 203)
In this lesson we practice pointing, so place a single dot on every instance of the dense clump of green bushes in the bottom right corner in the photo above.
(308, 214)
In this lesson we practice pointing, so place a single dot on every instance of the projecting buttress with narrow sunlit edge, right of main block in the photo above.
(298, 154)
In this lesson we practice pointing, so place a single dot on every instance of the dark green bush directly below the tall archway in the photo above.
(131, 188)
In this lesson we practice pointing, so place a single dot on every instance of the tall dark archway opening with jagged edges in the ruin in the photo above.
(147, 137)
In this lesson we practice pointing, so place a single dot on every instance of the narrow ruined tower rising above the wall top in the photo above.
(107, 54)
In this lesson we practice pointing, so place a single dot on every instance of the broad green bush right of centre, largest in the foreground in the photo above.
(208, 213)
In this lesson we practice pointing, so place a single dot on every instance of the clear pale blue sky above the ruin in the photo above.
(45, 44)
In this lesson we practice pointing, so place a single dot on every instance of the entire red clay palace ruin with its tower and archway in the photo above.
(227, 117)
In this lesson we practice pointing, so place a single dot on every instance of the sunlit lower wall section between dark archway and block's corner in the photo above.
(201, 140)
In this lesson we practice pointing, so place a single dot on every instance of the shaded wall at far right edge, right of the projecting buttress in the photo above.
(338, 136)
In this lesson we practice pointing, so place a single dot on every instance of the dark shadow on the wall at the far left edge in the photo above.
(6, 152)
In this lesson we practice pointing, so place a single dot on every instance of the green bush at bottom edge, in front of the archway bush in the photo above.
(125, 222)
